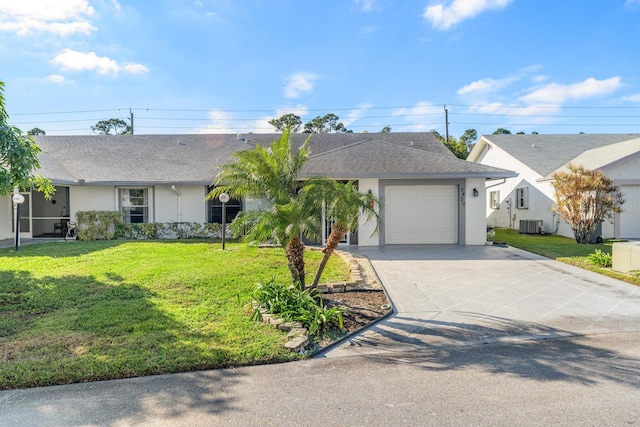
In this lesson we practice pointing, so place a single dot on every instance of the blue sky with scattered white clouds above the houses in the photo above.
(228, 66)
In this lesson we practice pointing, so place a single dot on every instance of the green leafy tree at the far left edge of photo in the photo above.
(18, 157)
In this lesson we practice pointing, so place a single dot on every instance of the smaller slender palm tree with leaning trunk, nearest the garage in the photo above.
(344, 204)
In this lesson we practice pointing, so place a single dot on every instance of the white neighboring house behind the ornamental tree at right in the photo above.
(530, 195)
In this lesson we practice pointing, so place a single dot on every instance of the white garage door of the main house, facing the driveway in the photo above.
(421, 214)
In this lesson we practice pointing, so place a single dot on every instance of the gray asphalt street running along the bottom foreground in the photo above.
(576, 381)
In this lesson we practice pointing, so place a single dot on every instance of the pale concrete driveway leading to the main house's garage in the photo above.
(455, 295)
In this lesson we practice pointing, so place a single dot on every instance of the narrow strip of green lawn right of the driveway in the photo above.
(562, 249)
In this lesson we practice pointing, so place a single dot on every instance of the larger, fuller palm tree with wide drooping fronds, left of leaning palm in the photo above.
(272, 174)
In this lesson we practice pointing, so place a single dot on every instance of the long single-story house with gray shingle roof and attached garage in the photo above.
(429, 195)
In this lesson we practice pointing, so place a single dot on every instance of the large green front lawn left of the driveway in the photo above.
(85, 311)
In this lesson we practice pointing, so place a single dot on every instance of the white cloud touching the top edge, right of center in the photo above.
(444, 17)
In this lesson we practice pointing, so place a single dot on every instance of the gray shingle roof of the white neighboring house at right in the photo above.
(547, 153)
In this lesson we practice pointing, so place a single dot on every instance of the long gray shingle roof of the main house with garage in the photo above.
(193, 159)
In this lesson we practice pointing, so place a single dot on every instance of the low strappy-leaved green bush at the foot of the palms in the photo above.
(295, 305)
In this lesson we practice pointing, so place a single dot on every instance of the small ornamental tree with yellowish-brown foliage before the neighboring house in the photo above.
(584, 198)
